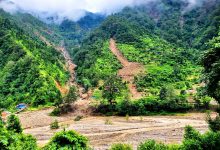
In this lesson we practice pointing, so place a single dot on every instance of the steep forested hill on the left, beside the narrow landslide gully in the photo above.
(28, 68)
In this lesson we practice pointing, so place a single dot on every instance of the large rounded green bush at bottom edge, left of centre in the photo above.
(68, 140)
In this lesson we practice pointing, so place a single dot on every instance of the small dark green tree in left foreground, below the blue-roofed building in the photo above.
(13, 124)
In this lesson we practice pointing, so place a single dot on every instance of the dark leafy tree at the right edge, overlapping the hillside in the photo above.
(210, 62)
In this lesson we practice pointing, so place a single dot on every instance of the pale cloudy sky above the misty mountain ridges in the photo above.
(71, 9)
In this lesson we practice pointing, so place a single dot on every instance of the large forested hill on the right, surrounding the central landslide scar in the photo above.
(165, 36)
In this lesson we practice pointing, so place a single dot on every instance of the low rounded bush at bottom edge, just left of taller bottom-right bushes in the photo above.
(152, 145)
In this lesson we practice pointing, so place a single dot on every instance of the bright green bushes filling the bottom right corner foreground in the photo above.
(192, 140)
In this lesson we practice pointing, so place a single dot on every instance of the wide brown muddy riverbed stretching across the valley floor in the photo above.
(168, 129)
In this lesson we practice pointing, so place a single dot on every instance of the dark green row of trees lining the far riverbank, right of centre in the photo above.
(145, 106)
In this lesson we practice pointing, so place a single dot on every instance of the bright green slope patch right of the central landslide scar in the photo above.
(165, 65)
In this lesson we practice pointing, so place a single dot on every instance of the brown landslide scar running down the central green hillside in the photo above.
(129, 70)
